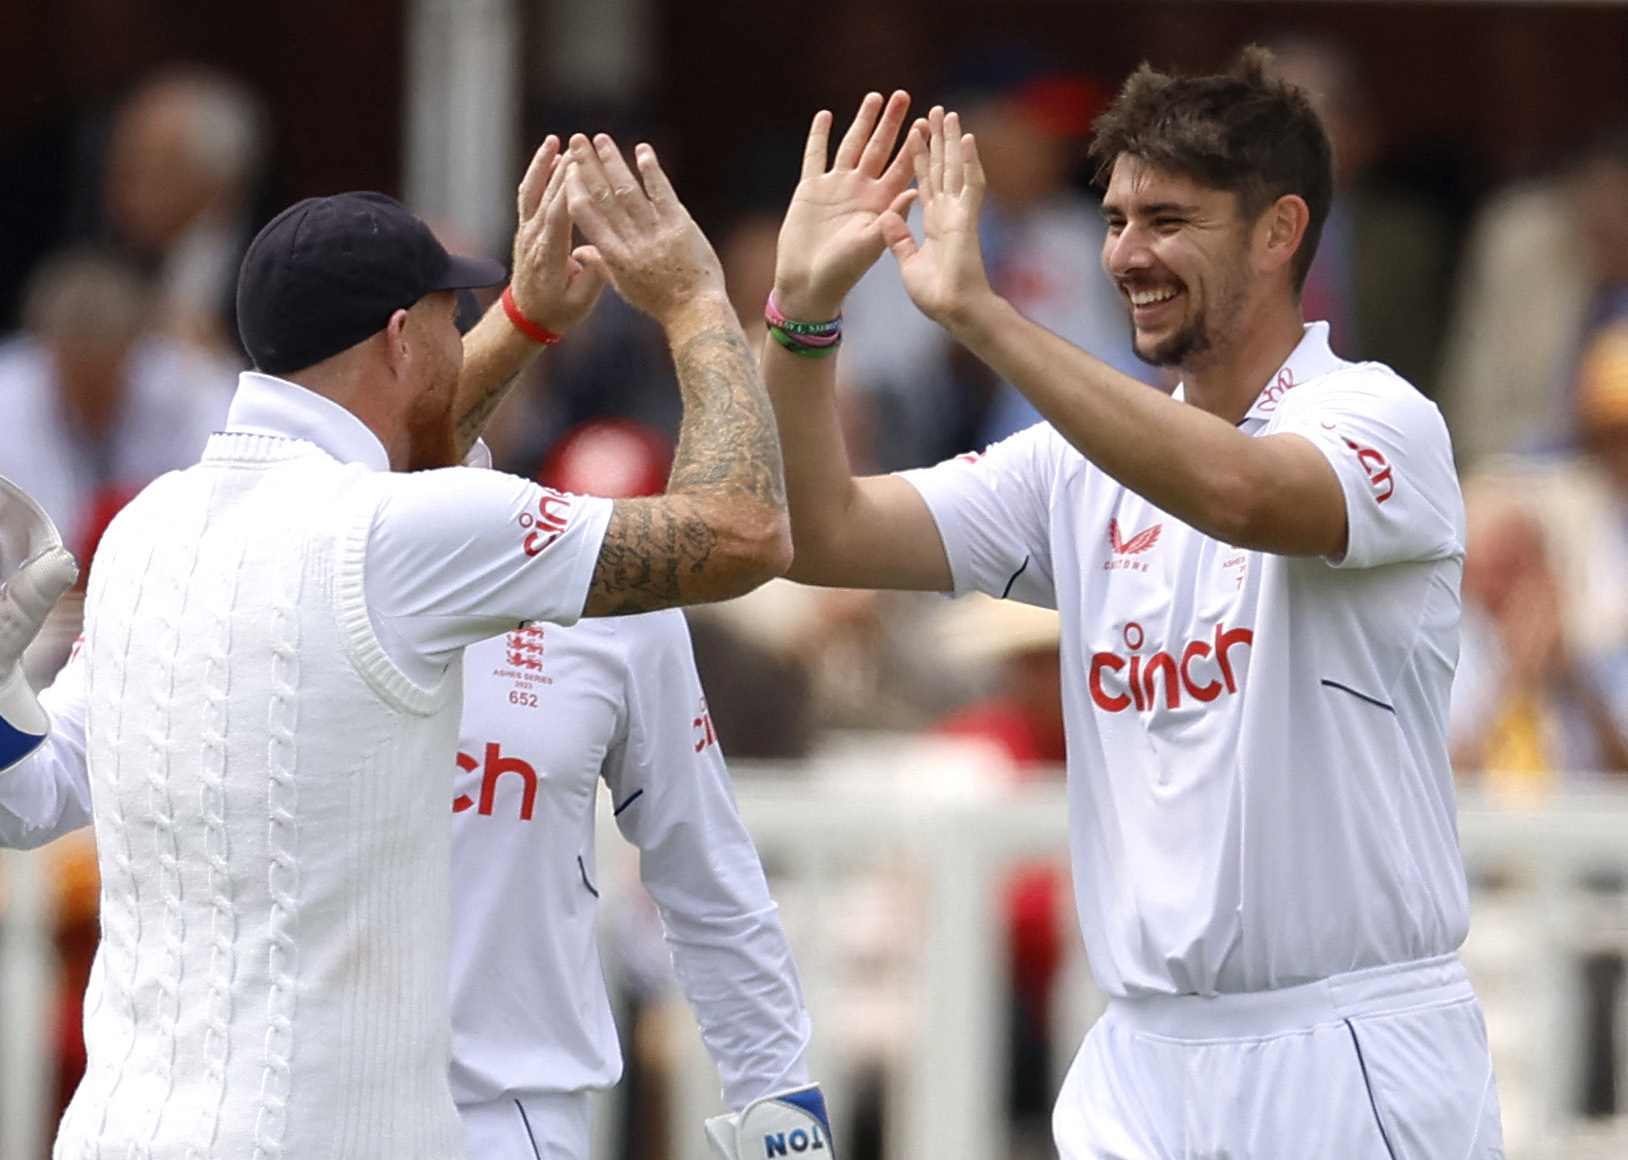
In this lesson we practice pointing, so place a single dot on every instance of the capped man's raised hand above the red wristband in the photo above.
(551, 287)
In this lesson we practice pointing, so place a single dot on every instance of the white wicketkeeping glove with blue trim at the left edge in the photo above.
(38, 570)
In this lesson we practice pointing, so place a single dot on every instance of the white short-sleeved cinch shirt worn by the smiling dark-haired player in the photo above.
(1258, 744)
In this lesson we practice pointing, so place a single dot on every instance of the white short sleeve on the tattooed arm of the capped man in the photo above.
(458, 556)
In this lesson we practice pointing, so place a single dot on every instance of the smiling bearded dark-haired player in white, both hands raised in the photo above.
(1259, 595)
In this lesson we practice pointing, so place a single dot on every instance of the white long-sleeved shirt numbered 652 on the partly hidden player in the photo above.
(548, 713)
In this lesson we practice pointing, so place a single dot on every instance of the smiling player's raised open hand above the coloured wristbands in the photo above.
(829, 237)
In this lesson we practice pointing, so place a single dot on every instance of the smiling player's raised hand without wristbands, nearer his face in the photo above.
(943, 273)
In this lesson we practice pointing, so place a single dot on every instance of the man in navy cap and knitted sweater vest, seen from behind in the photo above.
(274, 640)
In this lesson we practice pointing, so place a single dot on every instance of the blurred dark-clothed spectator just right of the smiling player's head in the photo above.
(1383, 269)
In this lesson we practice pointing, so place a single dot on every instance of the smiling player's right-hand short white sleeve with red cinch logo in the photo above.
(1391, 451)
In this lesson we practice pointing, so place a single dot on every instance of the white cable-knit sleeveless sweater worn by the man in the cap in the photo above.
(271, 805)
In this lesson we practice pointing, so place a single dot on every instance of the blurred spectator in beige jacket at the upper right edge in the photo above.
(1546, 261)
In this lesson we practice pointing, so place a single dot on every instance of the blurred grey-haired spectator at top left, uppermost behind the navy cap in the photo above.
(178, 196)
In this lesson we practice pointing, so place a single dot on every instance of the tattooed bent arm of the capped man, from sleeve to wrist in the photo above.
(673, 549)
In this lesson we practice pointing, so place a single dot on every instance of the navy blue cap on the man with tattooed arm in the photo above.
(328, 273)
